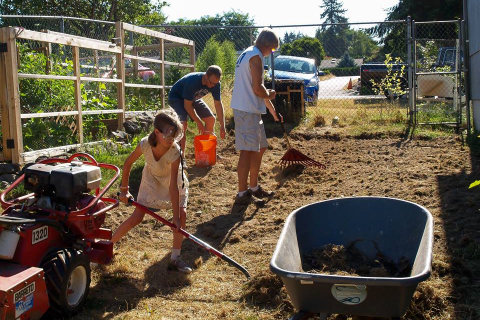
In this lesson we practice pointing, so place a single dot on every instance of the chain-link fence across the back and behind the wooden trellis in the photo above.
(339, 73)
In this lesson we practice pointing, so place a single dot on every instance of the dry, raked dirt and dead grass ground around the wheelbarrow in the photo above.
(434, 173)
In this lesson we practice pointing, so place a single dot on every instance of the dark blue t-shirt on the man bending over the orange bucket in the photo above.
(190, 87)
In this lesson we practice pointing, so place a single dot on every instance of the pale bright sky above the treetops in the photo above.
(274, 13)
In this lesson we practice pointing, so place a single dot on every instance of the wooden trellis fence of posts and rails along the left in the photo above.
(11, 116)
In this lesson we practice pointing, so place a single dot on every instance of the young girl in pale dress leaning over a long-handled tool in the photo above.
(161, 181)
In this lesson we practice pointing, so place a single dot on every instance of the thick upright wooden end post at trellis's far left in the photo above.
(13, 95)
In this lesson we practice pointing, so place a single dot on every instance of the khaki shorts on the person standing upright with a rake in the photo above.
(249, 131)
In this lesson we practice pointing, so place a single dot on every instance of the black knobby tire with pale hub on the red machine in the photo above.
(68, 276)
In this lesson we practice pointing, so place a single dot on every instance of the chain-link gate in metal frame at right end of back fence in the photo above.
(439, 74)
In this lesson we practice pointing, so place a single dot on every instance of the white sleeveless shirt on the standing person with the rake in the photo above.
(243, 97)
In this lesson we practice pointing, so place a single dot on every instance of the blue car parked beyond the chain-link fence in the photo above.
(299, 68)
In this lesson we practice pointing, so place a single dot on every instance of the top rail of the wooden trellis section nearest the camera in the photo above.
(68, 40)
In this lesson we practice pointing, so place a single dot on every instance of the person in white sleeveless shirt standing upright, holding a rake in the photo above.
(250, 99)
